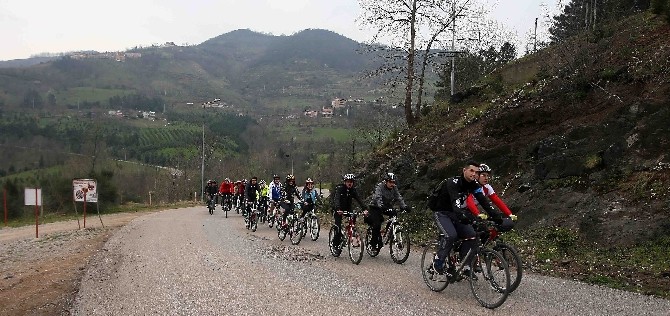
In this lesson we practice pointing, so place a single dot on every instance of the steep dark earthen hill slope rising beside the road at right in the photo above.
(578, 138)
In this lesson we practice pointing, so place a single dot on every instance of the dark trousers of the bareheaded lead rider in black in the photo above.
(453, 230)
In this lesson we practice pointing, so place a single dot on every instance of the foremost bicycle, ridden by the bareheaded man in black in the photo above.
(487, 272)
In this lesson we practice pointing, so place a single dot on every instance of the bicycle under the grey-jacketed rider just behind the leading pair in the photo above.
(395, 236)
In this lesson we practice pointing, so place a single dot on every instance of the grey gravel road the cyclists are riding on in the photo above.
(187, 262)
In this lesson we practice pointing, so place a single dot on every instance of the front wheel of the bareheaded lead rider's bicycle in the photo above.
(489, 278)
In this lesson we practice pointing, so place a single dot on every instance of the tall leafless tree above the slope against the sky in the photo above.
(414, 29)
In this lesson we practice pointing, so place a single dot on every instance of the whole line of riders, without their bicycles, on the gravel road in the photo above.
(459, 201)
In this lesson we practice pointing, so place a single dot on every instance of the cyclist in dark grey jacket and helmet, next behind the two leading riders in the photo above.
(385, 196)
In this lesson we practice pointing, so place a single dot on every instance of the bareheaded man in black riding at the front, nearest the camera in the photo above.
(451, 217)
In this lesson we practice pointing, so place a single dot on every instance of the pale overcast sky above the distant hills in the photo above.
(29, 27)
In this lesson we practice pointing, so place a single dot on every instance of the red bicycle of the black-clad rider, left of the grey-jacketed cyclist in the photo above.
(349, 236)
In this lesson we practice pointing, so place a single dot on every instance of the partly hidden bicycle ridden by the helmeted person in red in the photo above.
(492, 239)
